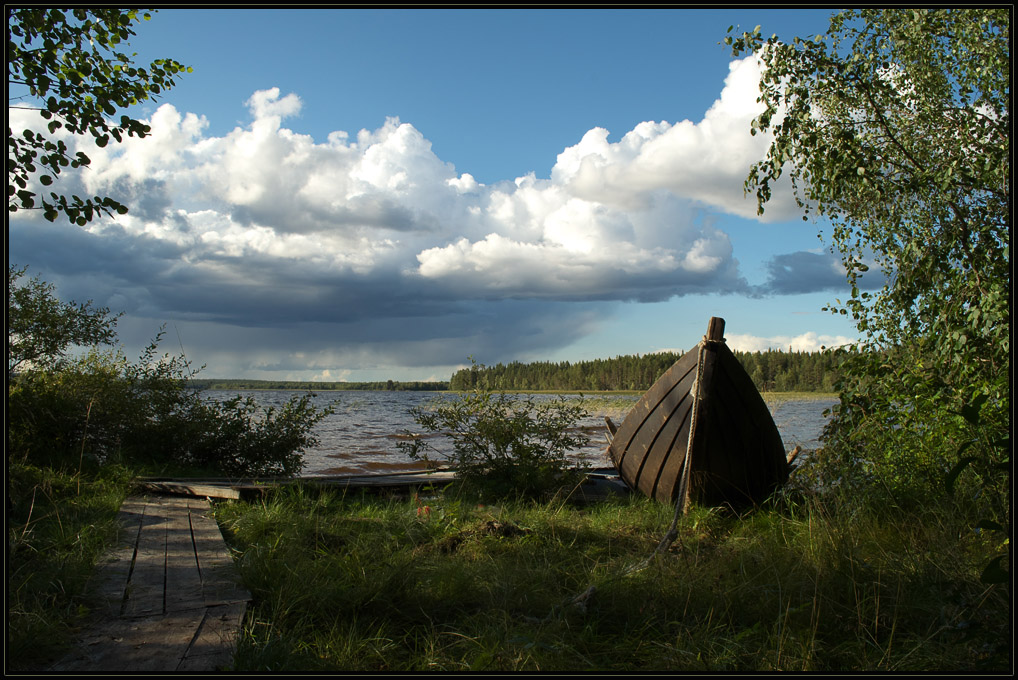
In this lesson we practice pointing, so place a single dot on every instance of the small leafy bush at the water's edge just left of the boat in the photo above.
(503, 444)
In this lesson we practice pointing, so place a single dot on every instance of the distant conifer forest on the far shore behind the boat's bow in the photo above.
(773, 371)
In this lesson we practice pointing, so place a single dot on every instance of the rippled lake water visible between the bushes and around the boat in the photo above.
(362, 436)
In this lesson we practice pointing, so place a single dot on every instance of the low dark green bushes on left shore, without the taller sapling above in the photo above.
(102, 409)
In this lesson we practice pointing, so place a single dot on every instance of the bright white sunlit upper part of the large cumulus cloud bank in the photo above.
(615, 220)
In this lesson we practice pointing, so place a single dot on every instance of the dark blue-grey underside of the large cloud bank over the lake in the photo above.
(143, 275)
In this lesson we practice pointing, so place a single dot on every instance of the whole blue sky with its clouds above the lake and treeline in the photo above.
(369, 195)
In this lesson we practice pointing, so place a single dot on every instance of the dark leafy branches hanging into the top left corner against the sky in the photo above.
(69, 66)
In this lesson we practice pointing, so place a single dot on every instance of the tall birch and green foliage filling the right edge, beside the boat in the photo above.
(895, 127)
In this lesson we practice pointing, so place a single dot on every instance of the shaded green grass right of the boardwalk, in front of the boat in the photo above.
(361, 584)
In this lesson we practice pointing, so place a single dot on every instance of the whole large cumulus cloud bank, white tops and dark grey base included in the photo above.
(372, 239)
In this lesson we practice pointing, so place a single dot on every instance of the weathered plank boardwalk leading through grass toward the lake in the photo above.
(171, 596)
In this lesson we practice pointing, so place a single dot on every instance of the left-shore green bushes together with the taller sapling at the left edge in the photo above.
(100, 409)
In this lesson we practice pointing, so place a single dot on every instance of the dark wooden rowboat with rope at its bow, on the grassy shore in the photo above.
(702, 433)
